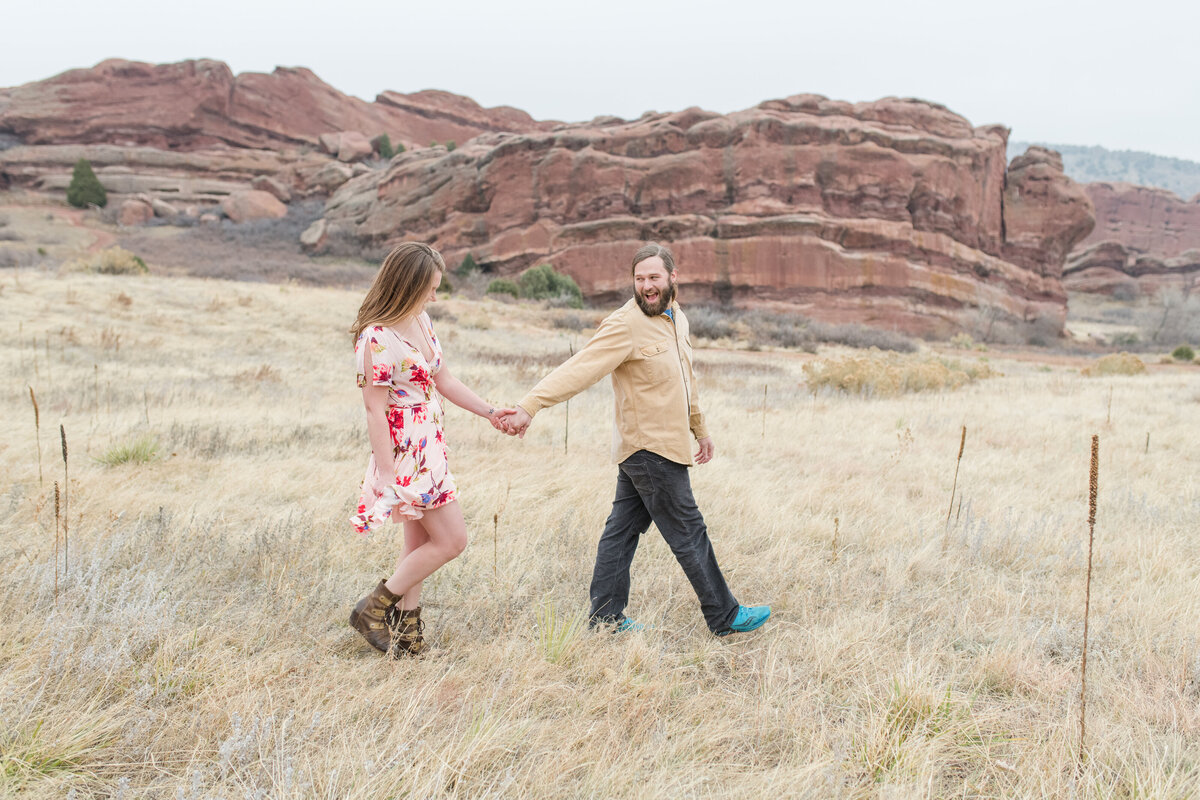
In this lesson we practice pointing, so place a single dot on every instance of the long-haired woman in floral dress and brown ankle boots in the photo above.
(409, 479)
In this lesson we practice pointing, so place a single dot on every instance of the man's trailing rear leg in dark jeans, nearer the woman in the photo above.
(610, 578)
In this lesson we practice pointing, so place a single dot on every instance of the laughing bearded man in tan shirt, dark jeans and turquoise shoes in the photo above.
(645, 347)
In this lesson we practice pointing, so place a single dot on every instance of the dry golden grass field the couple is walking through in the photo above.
(191, 641)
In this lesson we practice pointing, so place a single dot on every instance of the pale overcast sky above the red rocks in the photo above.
(1119, 75)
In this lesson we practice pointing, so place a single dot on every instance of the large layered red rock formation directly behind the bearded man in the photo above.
(893, 213)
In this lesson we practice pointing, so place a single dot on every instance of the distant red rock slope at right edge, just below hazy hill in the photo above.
(1153, 221)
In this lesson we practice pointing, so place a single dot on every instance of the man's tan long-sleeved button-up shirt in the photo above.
(650, 360)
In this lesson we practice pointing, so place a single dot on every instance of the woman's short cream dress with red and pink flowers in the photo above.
(416, 424)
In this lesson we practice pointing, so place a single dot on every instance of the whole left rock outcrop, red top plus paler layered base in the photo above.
(195, 134)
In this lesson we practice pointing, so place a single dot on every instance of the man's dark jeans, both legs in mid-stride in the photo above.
(652, 489)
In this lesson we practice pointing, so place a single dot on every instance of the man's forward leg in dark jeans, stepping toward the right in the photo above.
(665, 490)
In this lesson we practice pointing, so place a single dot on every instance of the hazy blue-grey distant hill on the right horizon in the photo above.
(1088, 165)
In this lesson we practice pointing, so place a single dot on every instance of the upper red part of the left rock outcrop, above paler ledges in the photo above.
(195, 105)
